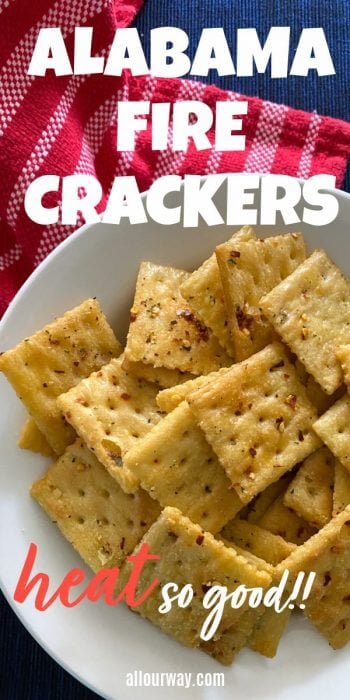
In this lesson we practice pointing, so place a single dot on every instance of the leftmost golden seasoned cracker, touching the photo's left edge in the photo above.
(53, 360)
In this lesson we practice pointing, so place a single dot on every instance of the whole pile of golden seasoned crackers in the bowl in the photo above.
(220, 435)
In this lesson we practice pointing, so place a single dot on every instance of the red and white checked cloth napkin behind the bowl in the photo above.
(67, 125)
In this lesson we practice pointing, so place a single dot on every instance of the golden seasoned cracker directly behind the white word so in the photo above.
(188, 555)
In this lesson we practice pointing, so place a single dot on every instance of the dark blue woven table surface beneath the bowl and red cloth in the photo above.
(26, 671)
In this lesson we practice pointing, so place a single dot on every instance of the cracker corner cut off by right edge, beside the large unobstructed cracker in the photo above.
(334, 429)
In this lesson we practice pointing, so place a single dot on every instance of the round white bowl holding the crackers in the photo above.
(97, 644)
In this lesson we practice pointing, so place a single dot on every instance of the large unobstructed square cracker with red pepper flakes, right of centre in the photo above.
(258, 420)
